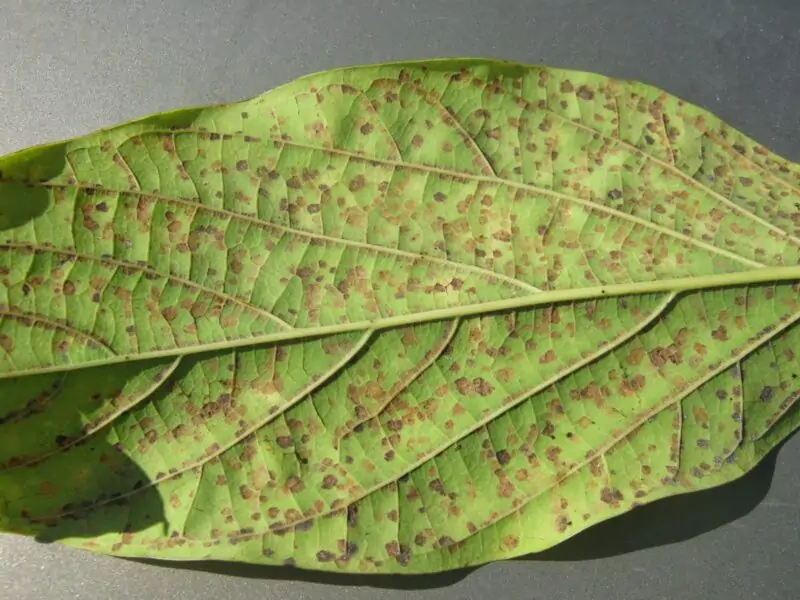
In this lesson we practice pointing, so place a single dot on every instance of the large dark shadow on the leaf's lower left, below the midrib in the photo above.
(57, 479)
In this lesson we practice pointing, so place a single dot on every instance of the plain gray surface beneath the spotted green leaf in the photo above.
(71, 66)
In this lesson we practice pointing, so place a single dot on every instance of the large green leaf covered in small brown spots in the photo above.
(397, 318)
